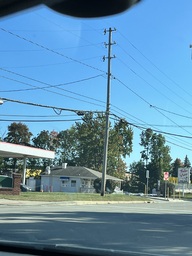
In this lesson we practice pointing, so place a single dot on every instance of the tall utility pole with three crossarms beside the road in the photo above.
(106, 139)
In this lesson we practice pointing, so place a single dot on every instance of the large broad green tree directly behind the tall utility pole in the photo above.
(83, 144)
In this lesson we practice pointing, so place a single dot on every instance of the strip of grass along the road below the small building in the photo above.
(60, 196)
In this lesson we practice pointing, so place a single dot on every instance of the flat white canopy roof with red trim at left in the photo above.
(19, 151)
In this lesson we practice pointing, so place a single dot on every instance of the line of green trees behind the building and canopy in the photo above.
(83, 145)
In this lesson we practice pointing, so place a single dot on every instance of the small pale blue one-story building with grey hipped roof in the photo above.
(72, 179)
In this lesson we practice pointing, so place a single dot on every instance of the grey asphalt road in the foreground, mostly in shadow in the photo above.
(161, 228)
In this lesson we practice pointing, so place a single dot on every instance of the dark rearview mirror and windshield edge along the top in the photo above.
(76, 8)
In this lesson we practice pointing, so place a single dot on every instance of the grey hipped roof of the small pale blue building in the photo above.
(76, 171)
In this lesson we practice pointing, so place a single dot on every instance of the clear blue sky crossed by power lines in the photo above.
(153, 69)
